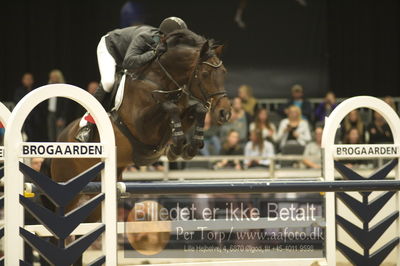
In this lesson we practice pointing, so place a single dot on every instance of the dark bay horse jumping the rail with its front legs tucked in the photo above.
(161, 102)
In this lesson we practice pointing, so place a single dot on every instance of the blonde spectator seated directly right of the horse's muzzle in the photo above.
(239, 122)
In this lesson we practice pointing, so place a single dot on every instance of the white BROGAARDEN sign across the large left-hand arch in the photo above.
(62, 150)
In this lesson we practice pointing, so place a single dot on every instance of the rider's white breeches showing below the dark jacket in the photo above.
(106, 65)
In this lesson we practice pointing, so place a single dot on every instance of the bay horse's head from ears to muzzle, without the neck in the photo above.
(207, 83)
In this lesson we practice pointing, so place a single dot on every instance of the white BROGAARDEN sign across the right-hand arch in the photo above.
(366, 151)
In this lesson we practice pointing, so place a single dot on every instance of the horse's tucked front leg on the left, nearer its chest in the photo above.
(178, 137)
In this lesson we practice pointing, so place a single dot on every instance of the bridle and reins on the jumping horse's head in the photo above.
(206, 99)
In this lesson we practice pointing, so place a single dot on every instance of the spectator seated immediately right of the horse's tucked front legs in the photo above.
(212, 144)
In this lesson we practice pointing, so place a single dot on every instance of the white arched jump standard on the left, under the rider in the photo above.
(14, 183)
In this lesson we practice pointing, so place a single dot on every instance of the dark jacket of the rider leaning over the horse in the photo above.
(134, 46)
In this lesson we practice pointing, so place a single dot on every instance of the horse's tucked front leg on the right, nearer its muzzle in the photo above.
(197, 142)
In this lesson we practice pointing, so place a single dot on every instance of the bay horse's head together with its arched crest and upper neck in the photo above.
(204, 72)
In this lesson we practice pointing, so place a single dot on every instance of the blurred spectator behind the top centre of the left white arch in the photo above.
(56, 108)
